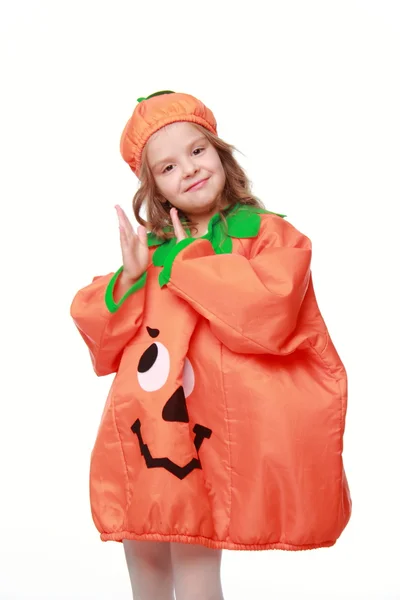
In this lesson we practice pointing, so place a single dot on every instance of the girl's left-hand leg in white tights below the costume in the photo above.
(150, 569)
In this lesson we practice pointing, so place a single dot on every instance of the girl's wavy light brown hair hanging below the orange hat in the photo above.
(158, 220)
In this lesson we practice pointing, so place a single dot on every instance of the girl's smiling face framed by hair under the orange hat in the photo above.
(179, 155)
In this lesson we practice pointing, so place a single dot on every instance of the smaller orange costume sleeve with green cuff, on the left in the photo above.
(106, 326)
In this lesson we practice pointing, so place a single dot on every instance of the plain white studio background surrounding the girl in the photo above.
(309, 92)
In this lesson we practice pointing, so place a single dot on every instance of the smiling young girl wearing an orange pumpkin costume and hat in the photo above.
(224, 424)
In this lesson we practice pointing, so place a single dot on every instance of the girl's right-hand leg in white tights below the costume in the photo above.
(197, 572)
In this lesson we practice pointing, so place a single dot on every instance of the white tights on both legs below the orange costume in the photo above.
(157, 568)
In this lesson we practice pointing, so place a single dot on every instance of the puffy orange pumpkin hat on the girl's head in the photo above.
(153, 113)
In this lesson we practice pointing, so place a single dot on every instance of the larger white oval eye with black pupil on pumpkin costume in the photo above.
(153, 368)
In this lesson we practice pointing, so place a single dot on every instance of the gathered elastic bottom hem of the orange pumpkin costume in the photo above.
(210, 543)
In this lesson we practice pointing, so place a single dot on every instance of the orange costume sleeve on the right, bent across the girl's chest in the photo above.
(252, 303)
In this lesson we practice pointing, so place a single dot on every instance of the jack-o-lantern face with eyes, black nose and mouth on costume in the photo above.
(152, 373)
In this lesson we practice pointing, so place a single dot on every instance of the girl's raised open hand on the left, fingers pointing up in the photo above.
(135, 251)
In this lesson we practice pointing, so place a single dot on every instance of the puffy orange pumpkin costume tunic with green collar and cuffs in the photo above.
(224, 423)
